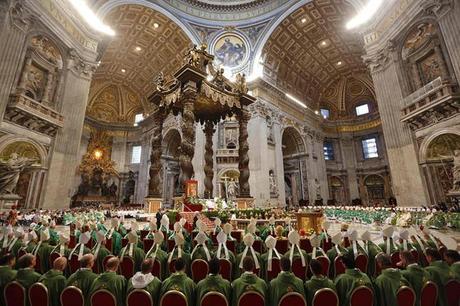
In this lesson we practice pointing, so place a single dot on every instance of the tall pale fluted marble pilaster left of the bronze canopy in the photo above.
(65, 150)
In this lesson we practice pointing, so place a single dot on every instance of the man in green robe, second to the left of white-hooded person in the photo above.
(83, 278)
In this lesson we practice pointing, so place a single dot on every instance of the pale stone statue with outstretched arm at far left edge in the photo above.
(10, 171)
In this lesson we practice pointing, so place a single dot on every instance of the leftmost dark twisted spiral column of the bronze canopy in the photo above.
(156, 169)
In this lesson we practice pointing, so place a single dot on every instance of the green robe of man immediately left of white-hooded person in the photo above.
(114, 283)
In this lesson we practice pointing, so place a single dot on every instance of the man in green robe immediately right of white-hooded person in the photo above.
(180, 281)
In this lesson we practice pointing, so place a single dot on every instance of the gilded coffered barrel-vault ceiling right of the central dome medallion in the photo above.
(311, 48)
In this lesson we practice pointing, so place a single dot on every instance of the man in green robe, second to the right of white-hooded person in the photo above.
(213, 282)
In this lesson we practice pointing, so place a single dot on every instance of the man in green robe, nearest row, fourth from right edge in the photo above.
(388, 282)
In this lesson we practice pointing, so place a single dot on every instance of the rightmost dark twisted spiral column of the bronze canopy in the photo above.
(243, 165)
